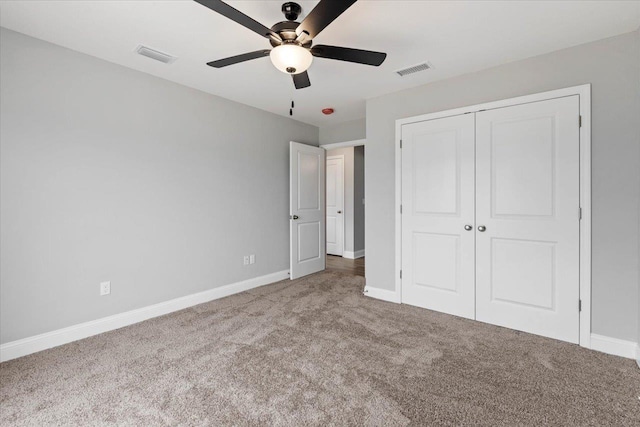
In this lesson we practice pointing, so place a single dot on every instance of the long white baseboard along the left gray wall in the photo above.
(19, 348)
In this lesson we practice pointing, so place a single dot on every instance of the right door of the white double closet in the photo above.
(527, 217)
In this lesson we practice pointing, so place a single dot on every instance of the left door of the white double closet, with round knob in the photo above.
(437, 204)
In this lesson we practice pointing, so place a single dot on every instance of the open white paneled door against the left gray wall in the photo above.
(307, 205)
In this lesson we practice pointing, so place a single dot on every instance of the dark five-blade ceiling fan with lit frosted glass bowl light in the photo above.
(292, 52)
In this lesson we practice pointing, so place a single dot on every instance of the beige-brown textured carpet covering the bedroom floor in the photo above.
(317, 352)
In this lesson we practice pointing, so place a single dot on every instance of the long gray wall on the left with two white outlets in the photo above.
(111, 174)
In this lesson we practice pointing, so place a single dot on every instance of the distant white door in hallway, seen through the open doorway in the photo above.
(335, 205)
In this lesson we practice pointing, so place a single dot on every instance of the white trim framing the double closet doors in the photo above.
(584, 92)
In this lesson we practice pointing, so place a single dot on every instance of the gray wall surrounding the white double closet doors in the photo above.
(612, 67)
